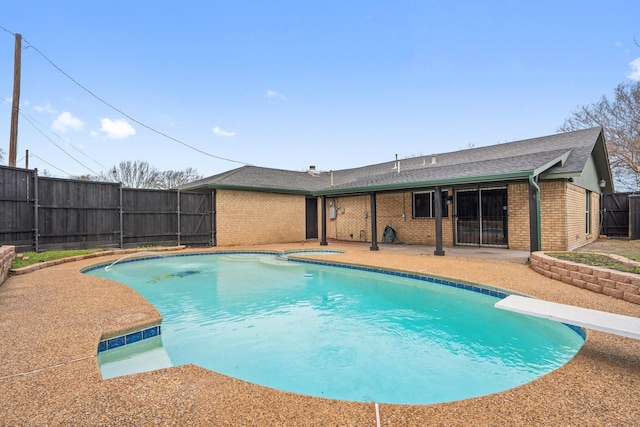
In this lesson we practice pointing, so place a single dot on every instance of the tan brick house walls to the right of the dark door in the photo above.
(562, 208)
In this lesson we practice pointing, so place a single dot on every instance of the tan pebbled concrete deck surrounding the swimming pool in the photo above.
(52, 320)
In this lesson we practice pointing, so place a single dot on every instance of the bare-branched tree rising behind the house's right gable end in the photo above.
(620, 119)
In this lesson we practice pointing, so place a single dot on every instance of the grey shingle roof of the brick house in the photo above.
(512, 160)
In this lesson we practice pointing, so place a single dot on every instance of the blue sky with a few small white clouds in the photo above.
(214, 85)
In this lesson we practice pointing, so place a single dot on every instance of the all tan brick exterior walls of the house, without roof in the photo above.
(247, 218)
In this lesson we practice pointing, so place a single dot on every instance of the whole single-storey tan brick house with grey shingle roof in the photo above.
(536, 194)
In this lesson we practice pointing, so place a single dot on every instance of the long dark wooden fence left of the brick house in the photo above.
(41, 213)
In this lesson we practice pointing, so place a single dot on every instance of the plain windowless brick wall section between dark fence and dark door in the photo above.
(253, 218)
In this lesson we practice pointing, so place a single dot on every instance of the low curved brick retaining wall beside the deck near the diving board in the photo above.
(616, 284)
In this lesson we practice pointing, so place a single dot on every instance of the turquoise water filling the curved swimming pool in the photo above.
(335, 332)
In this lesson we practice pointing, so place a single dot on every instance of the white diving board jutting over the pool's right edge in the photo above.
(611, 323)
